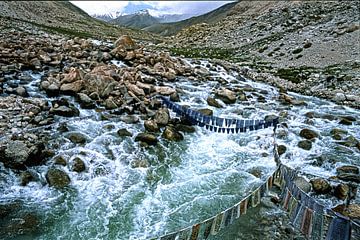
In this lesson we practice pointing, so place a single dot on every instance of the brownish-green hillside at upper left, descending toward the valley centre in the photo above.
(64, 18)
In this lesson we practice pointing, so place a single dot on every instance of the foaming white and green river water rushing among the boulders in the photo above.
(178, 183)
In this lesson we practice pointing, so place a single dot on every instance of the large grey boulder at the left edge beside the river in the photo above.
(14, 154)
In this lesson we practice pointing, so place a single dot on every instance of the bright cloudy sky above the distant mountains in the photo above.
(159, 7)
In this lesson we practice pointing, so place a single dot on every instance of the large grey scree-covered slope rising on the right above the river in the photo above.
(307, 47)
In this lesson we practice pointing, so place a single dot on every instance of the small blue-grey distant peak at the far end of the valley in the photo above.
(138, 20)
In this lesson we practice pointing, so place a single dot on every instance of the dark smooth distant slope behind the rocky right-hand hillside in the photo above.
(168, 29)
